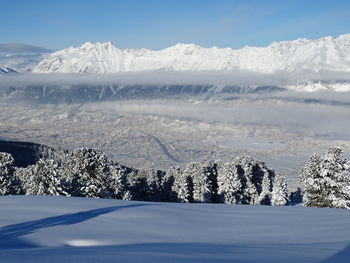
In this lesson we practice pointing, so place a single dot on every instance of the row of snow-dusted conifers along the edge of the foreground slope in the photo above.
(245, 180)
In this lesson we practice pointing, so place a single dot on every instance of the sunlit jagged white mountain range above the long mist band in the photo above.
(330, 54)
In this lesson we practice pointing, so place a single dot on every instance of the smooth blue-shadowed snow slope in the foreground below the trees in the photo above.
(61, 229)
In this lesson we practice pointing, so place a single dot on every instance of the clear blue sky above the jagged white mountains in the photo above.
(157, 24)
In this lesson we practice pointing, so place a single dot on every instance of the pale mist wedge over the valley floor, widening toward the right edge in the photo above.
(326, 116)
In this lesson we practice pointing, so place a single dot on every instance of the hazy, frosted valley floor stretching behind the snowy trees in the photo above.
(162, 133)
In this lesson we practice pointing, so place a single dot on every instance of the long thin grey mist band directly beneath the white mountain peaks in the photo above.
(219, 78)
